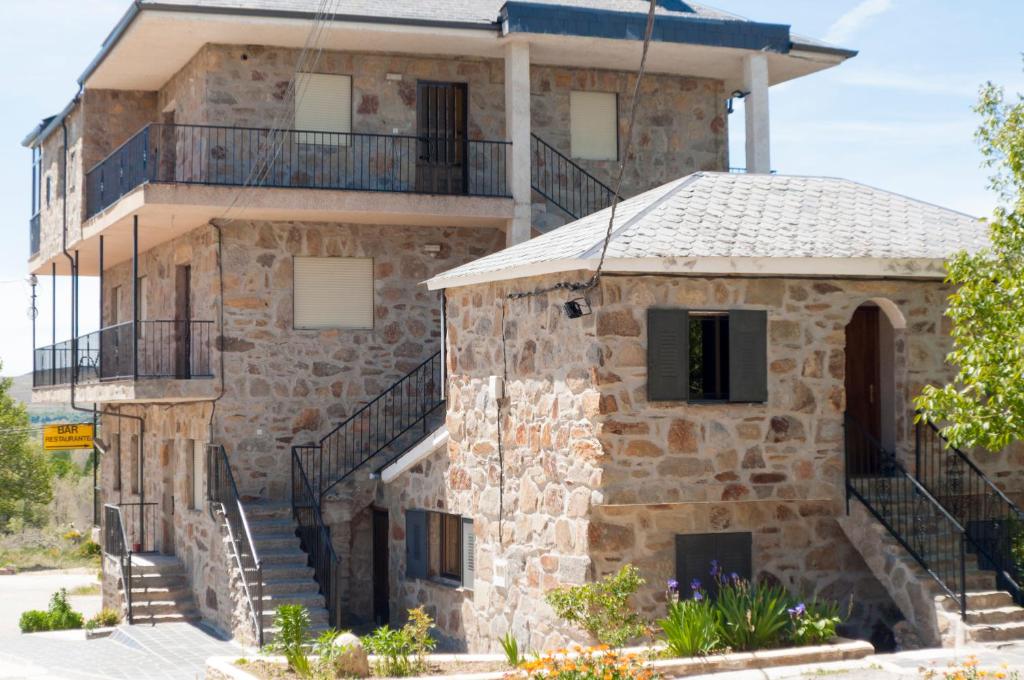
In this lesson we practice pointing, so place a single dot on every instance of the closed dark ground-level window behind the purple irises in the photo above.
(695, 554)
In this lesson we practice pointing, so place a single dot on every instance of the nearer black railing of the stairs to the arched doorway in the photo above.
(897, 471)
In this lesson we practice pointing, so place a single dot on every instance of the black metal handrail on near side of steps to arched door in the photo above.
(929, 533)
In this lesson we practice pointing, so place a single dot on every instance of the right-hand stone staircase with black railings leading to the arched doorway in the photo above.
(937, 541)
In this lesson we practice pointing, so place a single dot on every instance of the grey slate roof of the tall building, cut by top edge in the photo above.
(470, 12)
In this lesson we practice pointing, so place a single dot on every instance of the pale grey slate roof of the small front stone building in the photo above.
(724, 216)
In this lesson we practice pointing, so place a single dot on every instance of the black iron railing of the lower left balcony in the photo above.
(150, 350)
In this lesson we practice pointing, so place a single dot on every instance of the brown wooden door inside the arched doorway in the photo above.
(863, 384)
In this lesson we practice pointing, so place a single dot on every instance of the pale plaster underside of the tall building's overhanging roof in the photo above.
(158, 45)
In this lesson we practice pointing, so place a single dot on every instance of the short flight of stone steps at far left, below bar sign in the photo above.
(160, 591)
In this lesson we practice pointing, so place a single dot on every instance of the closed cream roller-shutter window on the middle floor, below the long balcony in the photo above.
(334, 292)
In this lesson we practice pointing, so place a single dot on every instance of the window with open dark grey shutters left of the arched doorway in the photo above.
(707, 356)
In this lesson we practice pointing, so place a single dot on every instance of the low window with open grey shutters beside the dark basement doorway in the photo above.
(440, 545)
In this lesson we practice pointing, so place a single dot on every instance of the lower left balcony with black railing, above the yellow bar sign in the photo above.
(126, 355)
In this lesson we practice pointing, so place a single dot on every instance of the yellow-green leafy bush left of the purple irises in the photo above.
(603, 609)
